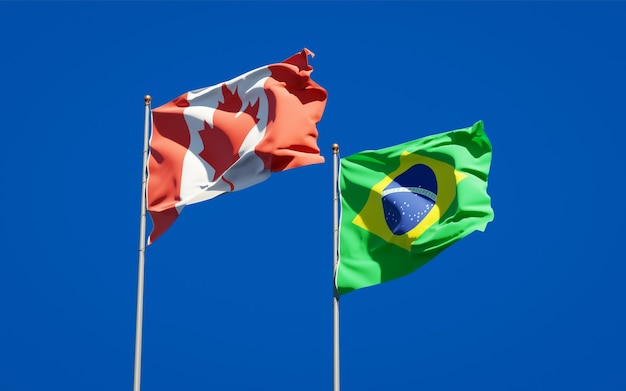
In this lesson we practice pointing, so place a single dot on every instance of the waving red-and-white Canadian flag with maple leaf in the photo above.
(230, 136)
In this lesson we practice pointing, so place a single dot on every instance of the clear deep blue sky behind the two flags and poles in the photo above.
(238, 292)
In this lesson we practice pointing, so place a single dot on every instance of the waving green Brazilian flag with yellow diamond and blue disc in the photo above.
(403, 205)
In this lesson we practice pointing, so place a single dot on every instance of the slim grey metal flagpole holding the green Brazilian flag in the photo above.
(335, 262)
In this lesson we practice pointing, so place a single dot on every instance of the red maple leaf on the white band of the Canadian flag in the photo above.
(223, 141)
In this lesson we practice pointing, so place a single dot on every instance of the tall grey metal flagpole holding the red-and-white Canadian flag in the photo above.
(142, 249)
